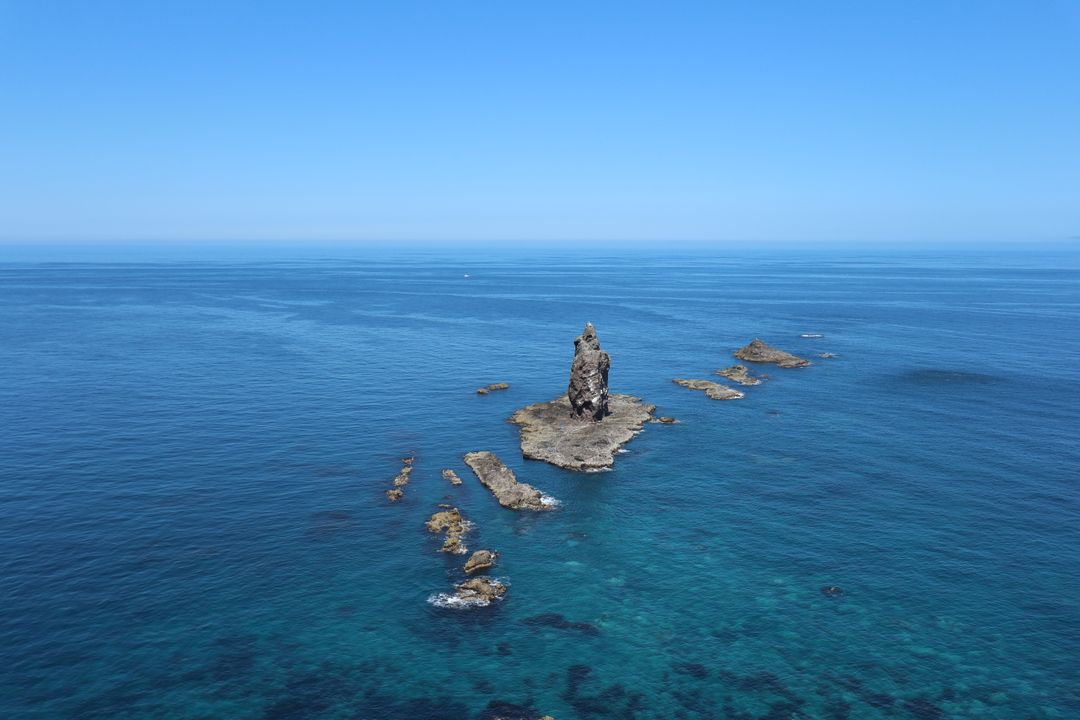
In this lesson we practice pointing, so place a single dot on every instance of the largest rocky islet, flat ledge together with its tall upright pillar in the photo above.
(585, 429)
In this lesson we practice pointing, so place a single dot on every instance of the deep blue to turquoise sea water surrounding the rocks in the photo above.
(194, 457)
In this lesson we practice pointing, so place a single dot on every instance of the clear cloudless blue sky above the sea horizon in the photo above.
(789, 123)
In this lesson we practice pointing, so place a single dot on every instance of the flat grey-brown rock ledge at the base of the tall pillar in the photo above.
(551, 433)
